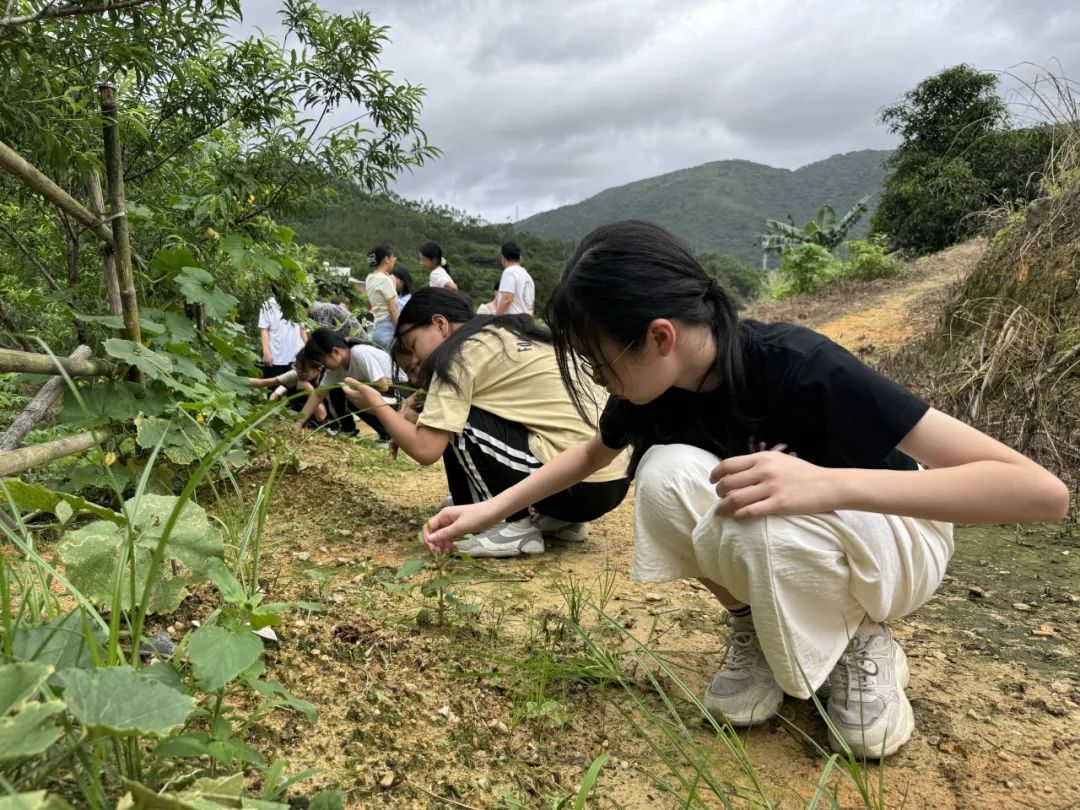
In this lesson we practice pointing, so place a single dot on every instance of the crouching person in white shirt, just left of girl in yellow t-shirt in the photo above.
(344, 359)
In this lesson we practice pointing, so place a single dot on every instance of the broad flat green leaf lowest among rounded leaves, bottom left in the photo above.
(120, 701)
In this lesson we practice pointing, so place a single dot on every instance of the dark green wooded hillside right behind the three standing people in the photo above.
(348, 228)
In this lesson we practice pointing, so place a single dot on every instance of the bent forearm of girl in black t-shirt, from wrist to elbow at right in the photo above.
(980, 492)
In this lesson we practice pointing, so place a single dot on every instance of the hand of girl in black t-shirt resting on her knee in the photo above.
(773, 484)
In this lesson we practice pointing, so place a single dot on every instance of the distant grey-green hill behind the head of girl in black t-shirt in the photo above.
(722, 207)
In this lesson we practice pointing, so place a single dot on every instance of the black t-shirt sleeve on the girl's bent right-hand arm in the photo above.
(863, 413)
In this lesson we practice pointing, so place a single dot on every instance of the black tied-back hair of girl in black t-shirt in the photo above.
(620, 279)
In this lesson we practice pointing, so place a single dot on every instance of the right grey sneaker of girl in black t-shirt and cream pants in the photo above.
(867, 700)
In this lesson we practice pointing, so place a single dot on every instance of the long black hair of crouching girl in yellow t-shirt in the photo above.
(425, 305)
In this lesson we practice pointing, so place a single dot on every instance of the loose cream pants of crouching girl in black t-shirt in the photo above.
(809, 579)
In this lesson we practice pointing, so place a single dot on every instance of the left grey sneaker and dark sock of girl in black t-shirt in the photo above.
(745, 693)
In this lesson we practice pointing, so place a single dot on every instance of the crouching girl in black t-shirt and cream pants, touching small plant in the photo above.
(812, 495)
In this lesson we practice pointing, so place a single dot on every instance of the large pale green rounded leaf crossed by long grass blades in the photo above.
(92, 553)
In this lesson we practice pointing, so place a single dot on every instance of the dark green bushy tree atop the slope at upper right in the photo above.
(958, 157)
